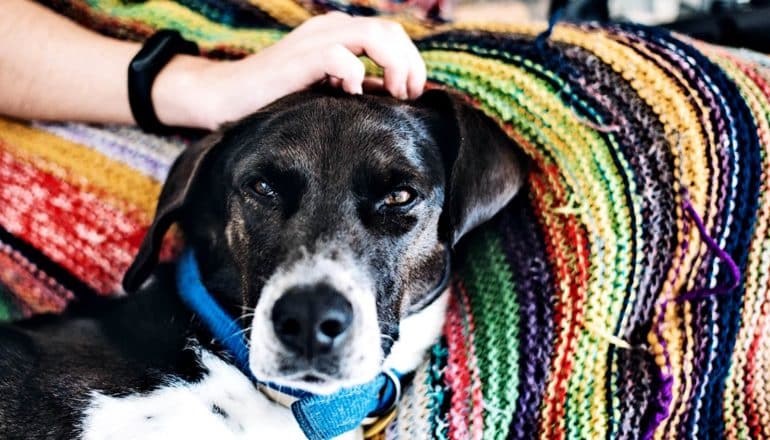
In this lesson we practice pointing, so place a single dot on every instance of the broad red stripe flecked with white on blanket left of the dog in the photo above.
(80, 240)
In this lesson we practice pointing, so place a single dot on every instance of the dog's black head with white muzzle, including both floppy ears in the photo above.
(323, 220)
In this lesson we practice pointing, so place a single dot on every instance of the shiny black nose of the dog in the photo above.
(312, 319)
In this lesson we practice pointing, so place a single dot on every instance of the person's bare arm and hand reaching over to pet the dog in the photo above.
(53, 69)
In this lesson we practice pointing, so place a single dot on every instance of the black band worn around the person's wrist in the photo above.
(156, 52)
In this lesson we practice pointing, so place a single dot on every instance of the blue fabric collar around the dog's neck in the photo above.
(319, 416)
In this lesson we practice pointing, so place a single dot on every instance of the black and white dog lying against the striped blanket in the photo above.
(321, 223)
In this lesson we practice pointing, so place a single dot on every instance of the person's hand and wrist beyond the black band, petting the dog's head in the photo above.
(202, 93)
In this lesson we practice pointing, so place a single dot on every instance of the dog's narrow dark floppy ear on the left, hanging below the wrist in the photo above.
(172, 199)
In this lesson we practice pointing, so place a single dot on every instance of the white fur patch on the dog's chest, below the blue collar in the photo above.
(223, 405)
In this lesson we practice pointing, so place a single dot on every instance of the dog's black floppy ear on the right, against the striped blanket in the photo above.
(484, 166)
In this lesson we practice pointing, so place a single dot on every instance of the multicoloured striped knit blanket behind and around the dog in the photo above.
(623, 294)
